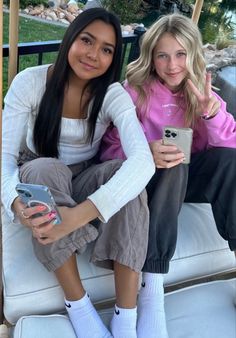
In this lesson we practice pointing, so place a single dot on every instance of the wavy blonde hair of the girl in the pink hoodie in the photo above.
(140, 72)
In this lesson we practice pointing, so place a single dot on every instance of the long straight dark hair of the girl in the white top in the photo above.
(47, 126)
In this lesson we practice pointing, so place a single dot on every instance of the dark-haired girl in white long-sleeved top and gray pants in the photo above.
(61, 112)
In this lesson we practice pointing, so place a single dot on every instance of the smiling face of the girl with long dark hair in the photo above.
(91, 53)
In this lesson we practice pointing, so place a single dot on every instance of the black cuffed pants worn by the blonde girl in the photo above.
(210, 178)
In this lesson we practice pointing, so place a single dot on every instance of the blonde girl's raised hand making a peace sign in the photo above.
(208, 105)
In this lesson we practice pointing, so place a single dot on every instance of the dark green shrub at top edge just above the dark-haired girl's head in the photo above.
(125, 10)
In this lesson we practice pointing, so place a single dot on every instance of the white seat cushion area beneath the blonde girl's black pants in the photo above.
(200, 250)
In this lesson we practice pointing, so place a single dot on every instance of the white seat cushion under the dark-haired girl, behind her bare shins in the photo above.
(30, 289)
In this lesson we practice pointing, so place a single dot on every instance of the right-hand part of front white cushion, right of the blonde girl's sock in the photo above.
(202, 311)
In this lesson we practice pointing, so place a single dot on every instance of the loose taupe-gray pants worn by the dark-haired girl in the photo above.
(123, 238)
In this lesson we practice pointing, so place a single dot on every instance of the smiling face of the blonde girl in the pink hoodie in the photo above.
(169, 58)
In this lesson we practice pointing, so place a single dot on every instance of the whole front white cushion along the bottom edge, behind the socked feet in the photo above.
(203, 311)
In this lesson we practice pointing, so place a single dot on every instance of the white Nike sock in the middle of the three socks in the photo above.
(123, 323)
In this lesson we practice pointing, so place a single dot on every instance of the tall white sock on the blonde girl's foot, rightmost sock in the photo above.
(151, 311)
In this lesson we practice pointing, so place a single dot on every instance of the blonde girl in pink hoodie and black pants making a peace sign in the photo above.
(170, 87)
